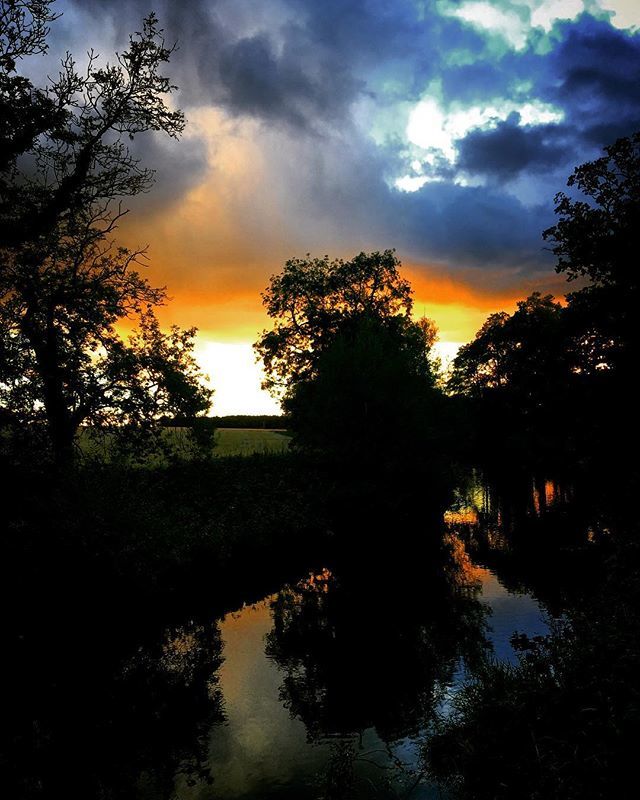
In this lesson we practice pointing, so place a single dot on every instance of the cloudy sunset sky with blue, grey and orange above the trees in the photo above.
(441, 129)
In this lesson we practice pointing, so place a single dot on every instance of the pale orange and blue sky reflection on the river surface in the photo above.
(264, 749)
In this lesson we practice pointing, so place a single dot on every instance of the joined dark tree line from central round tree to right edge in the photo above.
(545, 387)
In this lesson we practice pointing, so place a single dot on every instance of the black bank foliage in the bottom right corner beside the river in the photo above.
(564, 721)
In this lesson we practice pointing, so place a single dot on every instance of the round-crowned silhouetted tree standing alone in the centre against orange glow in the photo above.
(354, 369)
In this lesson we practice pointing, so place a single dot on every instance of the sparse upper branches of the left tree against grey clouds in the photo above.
(65, 158)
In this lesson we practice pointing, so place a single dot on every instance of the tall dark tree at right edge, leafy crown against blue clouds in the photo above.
(596, 240)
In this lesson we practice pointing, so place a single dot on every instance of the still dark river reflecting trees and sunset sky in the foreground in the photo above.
(325, 688)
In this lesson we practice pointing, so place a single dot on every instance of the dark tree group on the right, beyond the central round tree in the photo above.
(553, 380)
